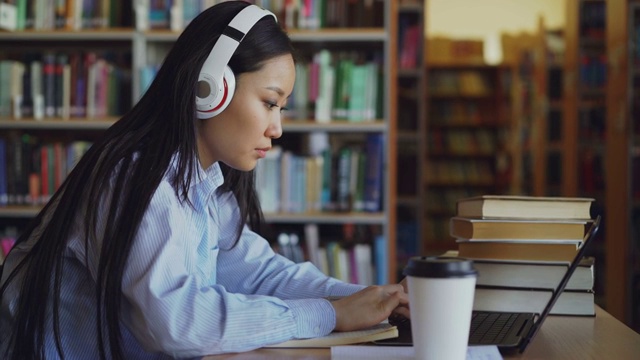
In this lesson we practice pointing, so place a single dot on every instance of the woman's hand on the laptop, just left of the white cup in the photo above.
(370, 306)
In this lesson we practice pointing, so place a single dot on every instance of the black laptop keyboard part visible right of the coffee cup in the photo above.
(490, 328)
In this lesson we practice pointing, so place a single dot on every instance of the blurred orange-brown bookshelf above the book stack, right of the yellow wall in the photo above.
(538, 112)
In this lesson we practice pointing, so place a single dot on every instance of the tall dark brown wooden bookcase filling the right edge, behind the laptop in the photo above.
(600, 140)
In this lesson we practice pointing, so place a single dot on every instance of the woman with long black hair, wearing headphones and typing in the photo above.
(145, 251)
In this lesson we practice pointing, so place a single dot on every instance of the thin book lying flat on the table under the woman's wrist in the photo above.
(336, 338)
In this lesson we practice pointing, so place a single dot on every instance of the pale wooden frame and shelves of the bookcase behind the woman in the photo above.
(148, 47)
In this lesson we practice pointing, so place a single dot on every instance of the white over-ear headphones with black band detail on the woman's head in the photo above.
(216, 82)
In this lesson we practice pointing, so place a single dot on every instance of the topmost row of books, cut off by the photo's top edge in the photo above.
(176, 14)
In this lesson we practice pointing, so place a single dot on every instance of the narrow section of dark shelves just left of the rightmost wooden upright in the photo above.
(583, 139)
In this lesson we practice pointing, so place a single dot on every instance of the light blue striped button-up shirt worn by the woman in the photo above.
(188, 293)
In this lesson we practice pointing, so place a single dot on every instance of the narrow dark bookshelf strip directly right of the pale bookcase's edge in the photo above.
(411, 115)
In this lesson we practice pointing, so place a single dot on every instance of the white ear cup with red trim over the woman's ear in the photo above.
(211, 100)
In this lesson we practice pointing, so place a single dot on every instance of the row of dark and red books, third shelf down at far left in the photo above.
(31, 172)
